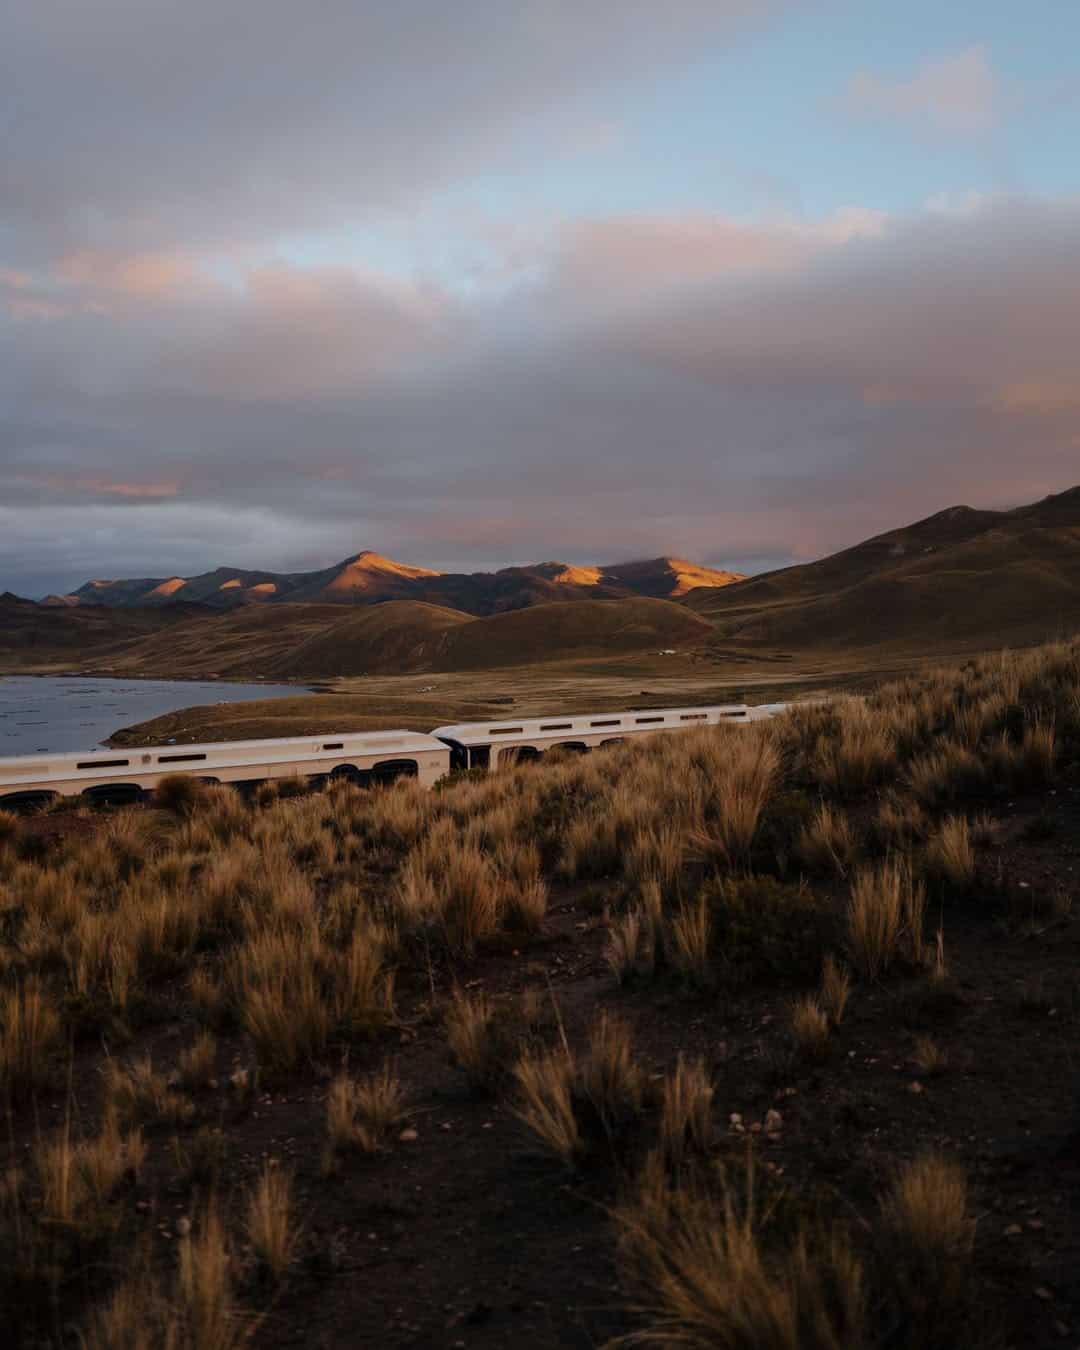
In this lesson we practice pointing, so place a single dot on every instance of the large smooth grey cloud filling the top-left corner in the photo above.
(218, 126)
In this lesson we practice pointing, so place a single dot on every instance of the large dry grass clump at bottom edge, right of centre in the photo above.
(719, 1264)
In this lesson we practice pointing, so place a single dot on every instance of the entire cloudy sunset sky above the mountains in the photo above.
(485, 284)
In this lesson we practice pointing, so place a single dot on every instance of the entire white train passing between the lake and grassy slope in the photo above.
(367, 758)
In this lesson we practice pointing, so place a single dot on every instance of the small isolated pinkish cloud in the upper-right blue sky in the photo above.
(961, 95)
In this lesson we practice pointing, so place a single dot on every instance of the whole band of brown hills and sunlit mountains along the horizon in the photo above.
(959, 580)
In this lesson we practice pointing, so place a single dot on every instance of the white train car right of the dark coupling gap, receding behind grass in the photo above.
(491, 745)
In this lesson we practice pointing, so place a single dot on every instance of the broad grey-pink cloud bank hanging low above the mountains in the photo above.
(691, 384)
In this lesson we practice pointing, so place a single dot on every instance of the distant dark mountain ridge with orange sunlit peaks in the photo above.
(368, 578)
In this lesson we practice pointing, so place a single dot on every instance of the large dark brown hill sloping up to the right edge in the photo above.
(959, 577)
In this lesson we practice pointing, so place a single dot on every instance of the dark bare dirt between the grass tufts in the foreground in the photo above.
(464, 1236)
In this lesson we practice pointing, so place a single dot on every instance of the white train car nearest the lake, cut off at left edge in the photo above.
(118, 776)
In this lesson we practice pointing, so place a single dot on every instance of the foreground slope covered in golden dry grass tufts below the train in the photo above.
(758, 1037)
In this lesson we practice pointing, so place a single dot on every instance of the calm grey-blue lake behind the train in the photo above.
(61, 713)
